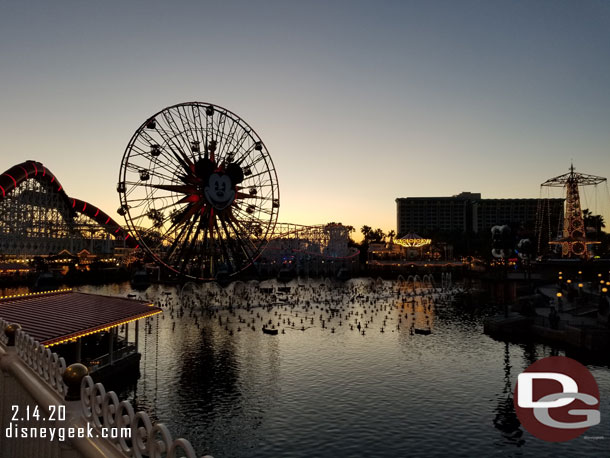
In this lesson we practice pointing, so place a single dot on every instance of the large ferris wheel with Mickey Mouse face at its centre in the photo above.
(199, 190)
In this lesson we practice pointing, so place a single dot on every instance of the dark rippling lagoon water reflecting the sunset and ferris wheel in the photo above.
(320, 392)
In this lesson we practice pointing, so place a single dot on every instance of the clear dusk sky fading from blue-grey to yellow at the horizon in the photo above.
(357, 102)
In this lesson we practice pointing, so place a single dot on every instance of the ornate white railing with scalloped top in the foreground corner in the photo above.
(31, 376)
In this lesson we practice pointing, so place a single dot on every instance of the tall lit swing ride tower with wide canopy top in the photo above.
(574, 240)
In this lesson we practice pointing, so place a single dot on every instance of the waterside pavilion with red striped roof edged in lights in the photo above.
(83, 328)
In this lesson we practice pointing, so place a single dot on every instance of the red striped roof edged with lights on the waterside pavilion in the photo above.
(52, 318)
